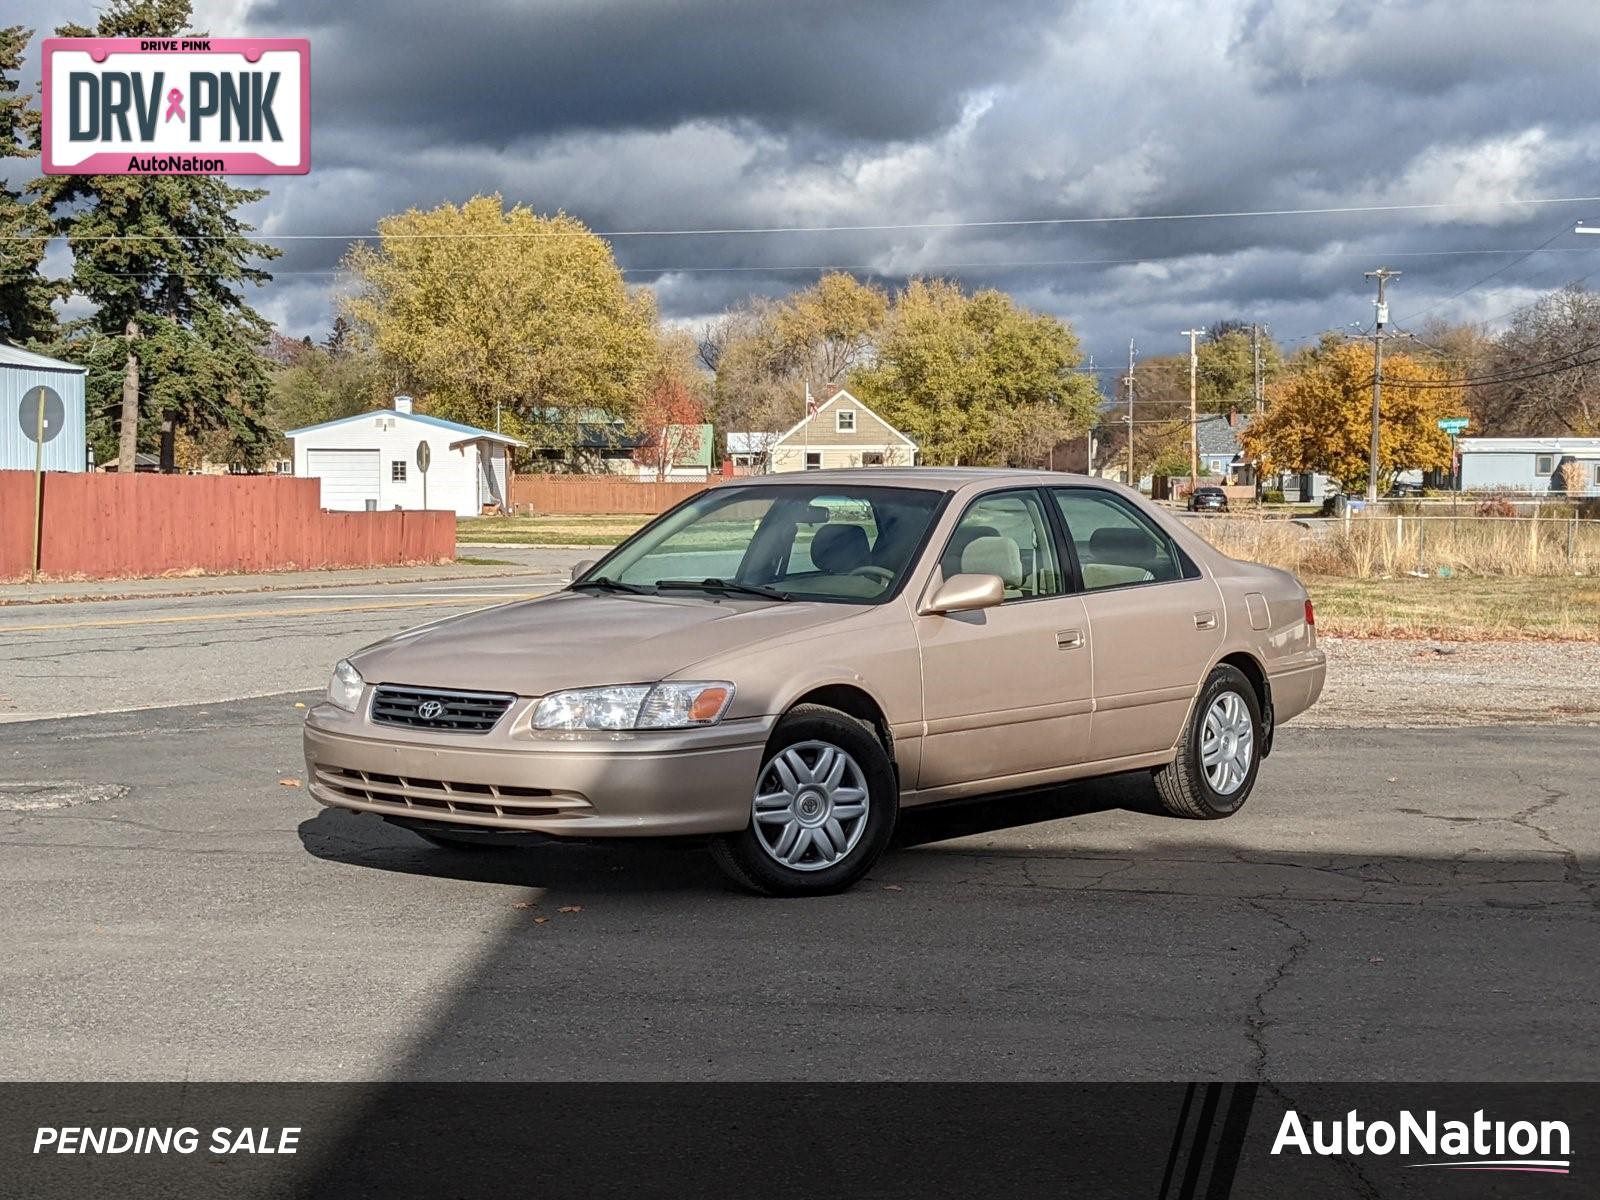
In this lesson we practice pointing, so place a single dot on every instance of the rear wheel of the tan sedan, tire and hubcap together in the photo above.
(1220, 753)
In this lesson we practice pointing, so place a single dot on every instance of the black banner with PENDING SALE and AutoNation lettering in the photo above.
(1167, 1142)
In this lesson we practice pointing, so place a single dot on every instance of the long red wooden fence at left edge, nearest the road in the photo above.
(114, 527)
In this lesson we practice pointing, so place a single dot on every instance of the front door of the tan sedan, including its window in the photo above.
(1007, 690)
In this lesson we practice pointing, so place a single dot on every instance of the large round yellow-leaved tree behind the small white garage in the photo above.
(478, 306)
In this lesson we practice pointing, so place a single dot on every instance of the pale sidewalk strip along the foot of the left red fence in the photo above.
(524, 561)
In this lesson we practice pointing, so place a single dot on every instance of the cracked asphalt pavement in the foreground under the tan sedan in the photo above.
(1393, 905)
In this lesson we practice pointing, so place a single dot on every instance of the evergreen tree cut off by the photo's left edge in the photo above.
(25, 292)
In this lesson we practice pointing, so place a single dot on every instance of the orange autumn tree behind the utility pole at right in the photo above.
(1321, 417)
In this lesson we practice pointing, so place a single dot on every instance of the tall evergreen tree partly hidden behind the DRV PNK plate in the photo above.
(164, 260)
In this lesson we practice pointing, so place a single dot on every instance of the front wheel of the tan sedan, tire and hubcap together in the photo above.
(822, 812)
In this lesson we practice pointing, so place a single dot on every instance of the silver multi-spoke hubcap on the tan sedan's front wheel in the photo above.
(810, 806)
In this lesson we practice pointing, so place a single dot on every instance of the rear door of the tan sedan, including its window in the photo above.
(1154, 622)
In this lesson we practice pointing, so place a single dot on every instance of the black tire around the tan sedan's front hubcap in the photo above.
(745, 858)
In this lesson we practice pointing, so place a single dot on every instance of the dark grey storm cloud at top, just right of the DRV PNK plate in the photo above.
(879, 70)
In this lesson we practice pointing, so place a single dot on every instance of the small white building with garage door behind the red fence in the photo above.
(374, 462)
